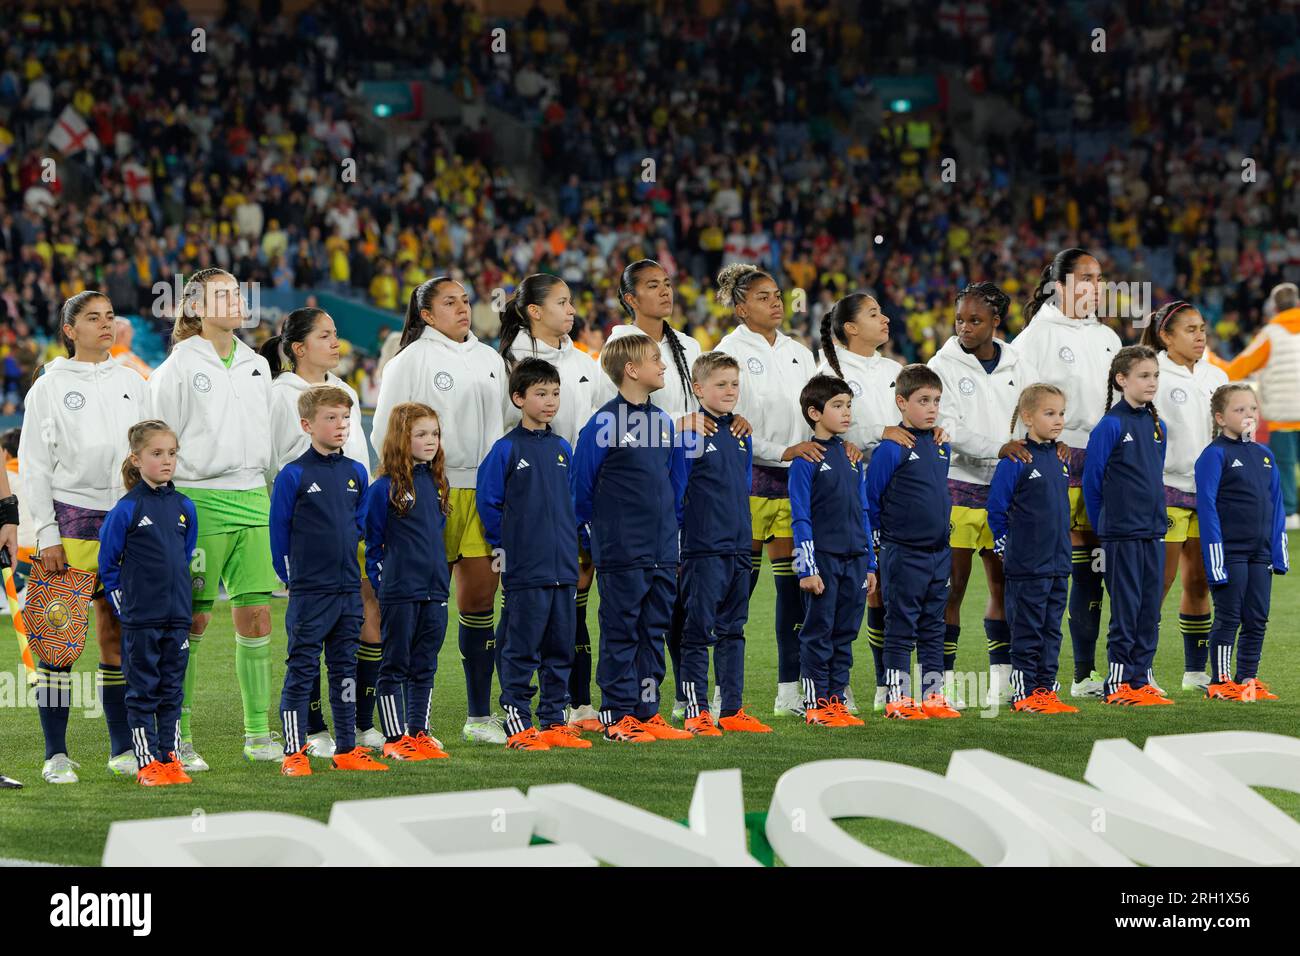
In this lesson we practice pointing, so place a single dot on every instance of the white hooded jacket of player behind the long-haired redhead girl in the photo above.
(465, 383)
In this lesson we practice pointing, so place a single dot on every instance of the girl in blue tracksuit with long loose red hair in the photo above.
(405, 516)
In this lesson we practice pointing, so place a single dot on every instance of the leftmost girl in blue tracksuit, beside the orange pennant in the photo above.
(145, 550)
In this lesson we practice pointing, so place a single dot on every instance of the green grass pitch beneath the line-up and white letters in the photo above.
(68, 825)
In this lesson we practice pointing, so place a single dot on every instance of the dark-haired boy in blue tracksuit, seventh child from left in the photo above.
(833, 552)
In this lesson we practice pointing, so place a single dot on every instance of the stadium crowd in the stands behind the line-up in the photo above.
(1173, 154)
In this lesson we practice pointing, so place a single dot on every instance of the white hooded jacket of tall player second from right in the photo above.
(1073, 354)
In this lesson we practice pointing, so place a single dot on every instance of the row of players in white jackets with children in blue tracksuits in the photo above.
(666, 473)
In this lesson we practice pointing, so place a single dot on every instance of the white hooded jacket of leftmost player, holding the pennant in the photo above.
(75, 439)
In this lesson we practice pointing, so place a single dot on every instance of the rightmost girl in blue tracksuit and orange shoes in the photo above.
(1243, 540)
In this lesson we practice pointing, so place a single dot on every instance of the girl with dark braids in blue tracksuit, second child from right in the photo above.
(1124, 490)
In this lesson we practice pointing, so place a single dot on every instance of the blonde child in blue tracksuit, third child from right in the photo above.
(1029, 513)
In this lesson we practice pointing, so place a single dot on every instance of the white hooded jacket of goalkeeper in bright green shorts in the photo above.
(222, 416)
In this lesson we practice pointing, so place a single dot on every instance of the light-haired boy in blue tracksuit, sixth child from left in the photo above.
(716, 561)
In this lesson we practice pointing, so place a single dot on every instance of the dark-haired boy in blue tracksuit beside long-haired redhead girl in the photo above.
(528, 520)
